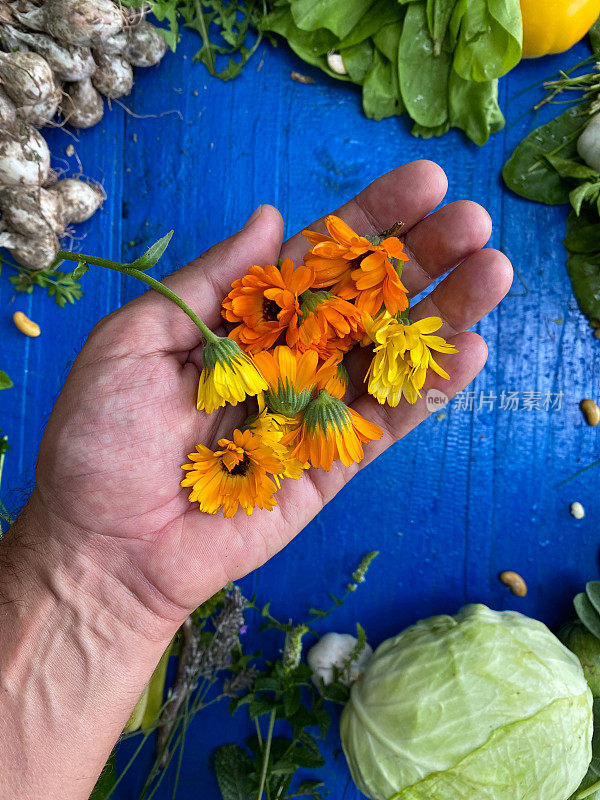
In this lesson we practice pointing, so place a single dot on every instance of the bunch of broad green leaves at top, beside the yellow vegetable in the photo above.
(440, 59)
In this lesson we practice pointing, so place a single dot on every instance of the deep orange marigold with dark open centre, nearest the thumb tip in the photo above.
(264, 302)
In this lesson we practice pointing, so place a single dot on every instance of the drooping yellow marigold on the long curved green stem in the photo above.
(229, 375)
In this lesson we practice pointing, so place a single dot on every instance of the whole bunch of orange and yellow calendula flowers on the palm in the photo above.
(292, 328)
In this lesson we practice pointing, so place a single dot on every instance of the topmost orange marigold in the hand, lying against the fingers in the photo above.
(363, 268)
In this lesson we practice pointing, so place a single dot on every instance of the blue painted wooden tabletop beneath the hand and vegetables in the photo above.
(474, 490)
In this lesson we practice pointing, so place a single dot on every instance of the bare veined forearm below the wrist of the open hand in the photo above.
(76, 651)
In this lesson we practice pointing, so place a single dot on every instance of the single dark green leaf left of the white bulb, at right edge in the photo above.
(529, 172)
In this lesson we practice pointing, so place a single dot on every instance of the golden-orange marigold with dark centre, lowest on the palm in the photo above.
(234, 476)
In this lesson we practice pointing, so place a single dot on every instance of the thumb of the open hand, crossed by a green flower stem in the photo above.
(205, 281)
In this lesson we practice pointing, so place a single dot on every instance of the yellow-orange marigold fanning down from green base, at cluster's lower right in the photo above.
(329, 431)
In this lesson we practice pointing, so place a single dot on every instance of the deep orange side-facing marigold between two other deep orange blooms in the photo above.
(327, 324)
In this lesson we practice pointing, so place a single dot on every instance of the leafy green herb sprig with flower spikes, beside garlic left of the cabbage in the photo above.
(289, 712)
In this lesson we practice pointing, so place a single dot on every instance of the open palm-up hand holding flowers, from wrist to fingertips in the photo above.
(109, 466)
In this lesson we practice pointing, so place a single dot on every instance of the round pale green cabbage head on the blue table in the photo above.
(485, 705)
